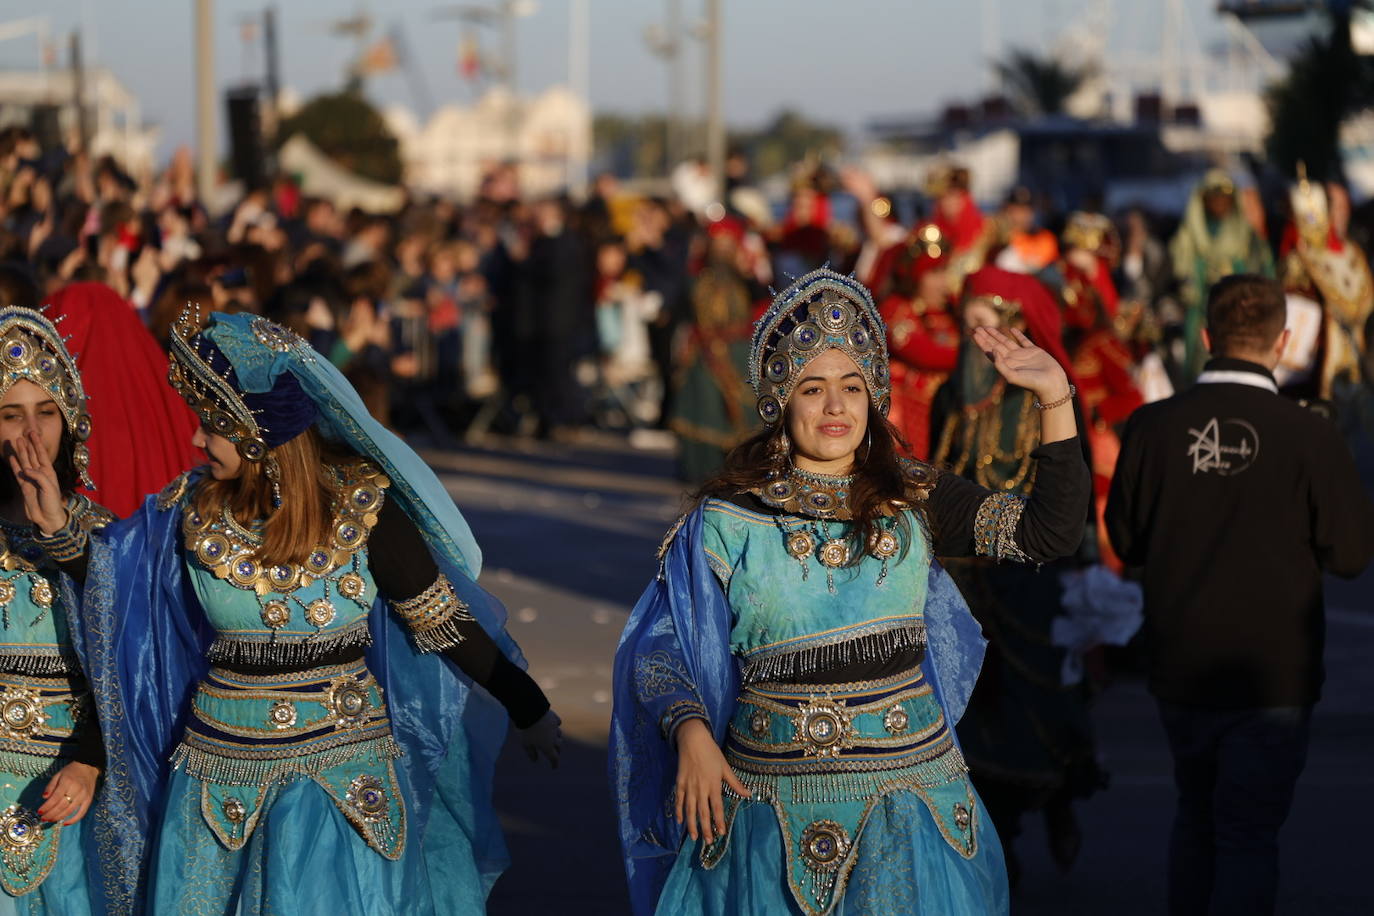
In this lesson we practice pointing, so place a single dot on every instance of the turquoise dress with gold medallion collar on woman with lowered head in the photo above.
(288, 778)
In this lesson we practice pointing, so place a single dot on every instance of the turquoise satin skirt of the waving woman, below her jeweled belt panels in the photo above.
(905, 867)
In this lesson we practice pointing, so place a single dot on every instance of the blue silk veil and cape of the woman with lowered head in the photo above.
(142, 638)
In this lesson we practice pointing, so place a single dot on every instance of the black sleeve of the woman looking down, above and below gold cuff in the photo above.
(403, 569)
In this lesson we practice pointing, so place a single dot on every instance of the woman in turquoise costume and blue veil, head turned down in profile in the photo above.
(284, 649)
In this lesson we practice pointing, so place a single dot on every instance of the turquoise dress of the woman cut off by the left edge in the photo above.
(47, 720)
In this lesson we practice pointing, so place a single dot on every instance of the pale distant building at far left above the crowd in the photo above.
(45, 101)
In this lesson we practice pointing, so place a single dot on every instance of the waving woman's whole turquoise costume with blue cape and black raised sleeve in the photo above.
(833, 687)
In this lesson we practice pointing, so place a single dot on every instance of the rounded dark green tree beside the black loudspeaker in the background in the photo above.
(348, 130)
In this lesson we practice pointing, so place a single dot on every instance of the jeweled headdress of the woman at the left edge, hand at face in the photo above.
(32, 351)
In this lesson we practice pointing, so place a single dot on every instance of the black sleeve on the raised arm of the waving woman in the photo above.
(1045, 528)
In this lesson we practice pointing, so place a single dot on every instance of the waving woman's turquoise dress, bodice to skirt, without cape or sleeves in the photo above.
(858, 789)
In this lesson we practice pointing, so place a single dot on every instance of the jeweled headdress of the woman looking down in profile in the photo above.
(205, 377)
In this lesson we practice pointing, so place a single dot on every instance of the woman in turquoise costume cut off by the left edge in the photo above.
(50, 741)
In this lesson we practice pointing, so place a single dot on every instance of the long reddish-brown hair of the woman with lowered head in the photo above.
(296, 528)
